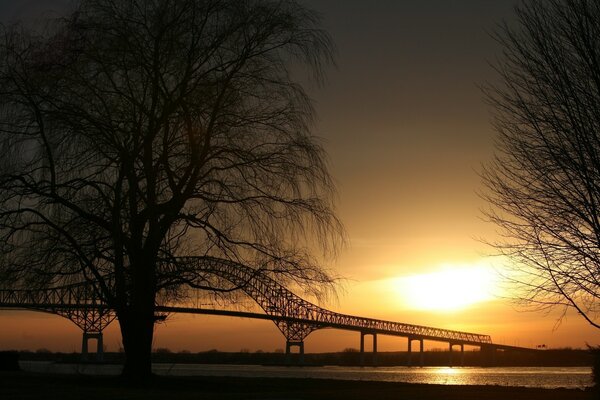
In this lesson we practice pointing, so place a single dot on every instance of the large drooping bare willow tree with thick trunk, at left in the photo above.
(137, 132)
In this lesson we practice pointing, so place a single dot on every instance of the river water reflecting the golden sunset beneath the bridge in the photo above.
(544, 377)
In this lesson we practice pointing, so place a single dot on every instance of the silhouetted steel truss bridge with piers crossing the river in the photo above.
(295, 317)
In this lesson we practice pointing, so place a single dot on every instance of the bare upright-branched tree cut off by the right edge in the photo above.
(544, 184)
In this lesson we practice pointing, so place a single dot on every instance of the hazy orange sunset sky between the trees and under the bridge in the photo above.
(406, 129)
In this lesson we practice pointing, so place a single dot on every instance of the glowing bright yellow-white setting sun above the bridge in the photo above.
(448, 288)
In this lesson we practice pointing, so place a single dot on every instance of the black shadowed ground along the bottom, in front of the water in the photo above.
(21, 385)
